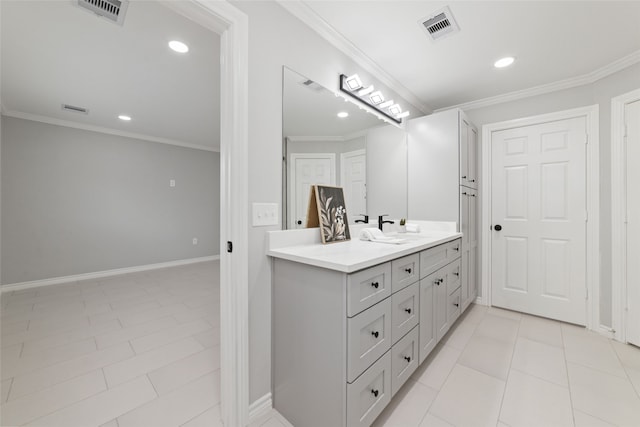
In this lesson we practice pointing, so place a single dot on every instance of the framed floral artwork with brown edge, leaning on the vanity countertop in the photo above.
(327, 210)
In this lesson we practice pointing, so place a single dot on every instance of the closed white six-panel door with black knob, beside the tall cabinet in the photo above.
(539, 199)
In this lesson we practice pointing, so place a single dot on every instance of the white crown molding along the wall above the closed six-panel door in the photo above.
(582, 80)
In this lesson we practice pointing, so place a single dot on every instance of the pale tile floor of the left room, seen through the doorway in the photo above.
(140, 350)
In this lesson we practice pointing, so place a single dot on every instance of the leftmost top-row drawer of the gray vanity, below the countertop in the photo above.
(368, 287)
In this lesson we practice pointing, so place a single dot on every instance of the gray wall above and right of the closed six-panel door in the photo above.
(599, 93)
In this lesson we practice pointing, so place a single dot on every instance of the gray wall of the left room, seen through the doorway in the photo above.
(75, 201)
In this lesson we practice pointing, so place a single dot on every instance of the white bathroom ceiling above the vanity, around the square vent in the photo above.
(551, 41)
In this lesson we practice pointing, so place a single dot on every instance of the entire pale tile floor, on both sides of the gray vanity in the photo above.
(143, 350)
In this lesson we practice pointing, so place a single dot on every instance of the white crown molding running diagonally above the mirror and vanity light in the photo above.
(307, 15)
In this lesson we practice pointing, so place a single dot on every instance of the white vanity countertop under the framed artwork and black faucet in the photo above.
(354, 255)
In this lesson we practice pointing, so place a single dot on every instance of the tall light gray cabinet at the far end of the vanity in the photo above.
(443, 182)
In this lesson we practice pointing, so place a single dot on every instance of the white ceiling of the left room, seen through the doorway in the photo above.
(54, 53)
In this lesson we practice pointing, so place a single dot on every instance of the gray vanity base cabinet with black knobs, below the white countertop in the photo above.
(345, 343)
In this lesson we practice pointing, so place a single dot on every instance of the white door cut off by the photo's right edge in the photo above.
(632, 119)
